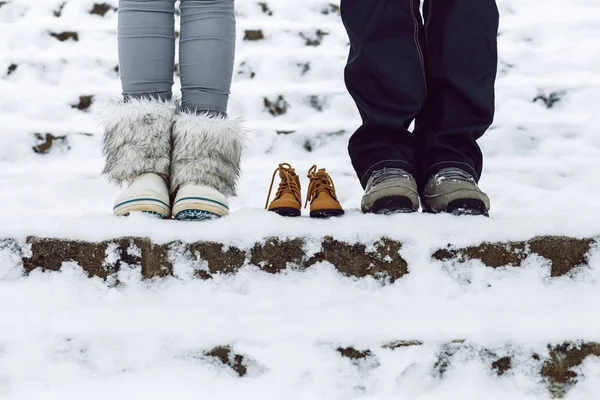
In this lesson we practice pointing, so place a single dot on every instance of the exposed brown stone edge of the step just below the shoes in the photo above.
(382, 259)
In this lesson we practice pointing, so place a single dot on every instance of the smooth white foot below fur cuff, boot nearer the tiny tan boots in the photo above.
(198, 202)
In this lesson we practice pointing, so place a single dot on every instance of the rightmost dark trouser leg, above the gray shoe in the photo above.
(461, 62)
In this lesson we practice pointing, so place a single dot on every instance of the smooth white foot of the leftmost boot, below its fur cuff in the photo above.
(147, 193)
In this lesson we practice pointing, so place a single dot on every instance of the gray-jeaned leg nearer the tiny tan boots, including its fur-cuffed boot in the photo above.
(207, 146)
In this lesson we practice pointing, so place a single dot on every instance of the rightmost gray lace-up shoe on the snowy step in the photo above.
(454, 191)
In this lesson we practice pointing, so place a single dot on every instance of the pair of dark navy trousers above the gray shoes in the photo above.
(440, 74)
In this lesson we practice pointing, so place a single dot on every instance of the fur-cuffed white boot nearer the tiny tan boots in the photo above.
(205, 164)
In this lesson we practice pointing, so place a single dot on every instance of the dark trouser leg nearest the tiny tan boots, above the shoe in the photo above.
(385, 76)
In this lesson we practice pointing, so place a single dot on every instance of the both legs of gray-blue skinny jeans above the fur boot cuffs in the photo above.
(207, 47)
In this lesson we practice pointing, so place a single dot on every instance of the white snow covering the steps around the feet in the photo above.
(63, 335)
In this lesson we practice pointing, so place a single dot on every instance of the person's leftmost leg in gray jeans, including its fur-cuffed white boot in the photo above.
(137, 139)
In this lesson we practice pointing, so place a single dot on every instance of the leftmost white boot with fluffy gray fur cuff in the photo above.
(137, 150)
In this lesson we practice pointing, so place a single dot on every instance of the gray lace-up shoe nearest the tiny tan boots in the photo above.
(390, 191)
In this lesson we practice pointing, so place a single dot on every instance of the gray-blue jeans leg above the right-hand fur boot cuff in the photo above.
(206, 54)
